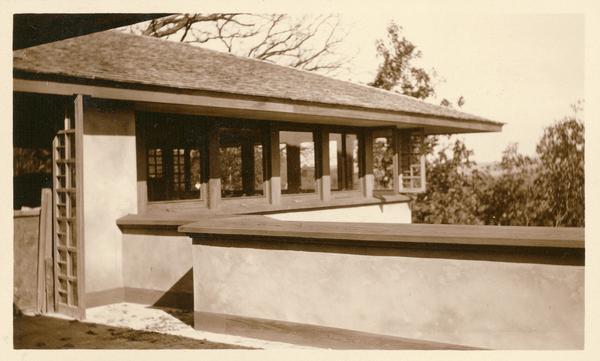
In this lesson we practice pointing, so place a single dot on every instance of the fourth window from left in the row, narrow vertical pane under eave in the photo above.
(343, 161)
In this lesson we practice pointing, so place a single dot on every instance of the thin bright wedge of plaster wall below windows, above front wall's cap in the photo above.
(387, 213)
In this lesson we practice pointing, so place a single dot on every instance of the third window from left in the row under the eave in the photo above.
(297, 156)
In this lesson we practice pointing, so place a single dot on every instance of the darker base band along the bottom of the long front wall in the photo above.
(309, 335)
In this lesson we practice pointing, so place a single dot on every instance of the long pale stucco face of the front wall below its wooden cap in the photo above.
(499, 305)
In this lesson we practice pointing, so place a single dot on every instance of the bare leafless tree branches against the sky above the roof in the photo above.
(310, 43)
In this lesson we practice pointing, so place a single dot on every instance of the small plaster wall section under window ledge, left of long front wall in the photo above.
(157, 262)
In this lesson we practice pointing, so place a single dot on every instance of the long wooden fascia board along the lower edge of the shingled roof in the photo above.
(268, 109)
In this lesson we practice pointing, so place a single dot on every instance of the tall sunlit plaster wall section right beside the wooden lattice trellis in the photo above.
(110, 192)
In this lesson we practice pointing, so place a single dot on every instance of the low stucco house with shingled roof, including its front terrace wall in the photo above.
(192, 178)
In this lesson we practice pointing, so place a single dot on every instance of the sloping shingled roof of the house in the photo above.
(121, 57)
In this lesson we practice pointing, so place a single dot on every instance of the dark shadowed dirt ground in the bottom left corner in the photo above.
(38, 332)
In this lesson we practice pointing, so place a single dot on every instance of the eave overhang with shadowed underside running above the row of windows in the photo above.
(228, 105)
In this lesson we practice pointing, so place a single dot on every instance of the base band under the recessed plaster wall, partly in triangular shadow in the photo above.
(182, 300)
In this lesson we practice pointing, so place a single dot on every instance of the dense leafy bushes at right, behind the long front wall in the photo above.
(544, 191)
